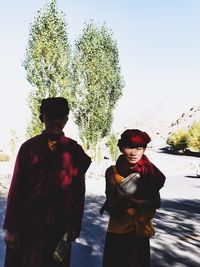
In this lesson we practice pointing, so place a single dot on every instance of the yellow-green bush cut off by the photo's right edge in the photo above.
(194, 136)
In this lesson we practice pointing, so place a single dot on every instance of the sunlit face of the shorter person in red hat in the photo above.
(133, 155)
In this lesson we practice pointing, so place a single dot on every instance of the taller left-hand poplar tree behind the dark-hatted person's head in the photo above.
(47, 60)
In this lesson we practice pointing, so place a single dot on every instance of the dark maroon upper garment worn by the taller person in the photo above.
(45, 184)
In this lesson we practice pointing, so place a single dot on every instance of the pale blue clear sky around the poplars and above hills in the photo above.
(159, 51)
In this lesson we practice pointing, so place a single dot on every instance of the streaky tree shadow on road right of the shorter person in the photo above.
(177, 241)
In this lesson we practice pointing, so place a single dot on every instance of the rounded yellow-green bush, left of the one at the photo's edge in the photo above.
(178, 139)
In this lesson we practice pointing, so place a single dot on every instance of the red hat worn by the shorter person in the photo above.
(133, 138)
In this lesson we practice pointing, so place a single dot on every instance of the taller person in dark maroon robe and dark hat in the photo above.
(47, 191)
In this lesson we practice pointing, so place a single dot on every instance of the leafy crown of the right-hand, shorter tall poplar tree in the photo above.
(97, 83)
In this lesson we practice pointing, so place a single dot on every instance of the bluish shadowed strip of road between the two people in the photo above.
(88, 250)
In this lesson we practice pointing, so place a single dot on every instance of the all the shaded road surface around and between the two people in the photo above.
(176, 243)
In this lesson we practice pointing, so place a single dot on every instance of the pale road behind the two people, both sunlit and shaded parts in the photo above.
(177, 239)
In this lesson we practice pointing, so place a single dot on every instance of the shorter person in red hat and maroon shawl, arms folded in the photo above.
(131, 203)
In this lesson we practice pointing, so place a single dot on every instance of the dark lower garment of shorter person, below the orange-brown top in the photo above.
(126, 250)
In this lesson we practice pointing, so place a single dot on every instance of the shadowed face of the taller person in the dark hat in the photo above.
(54, 126)
